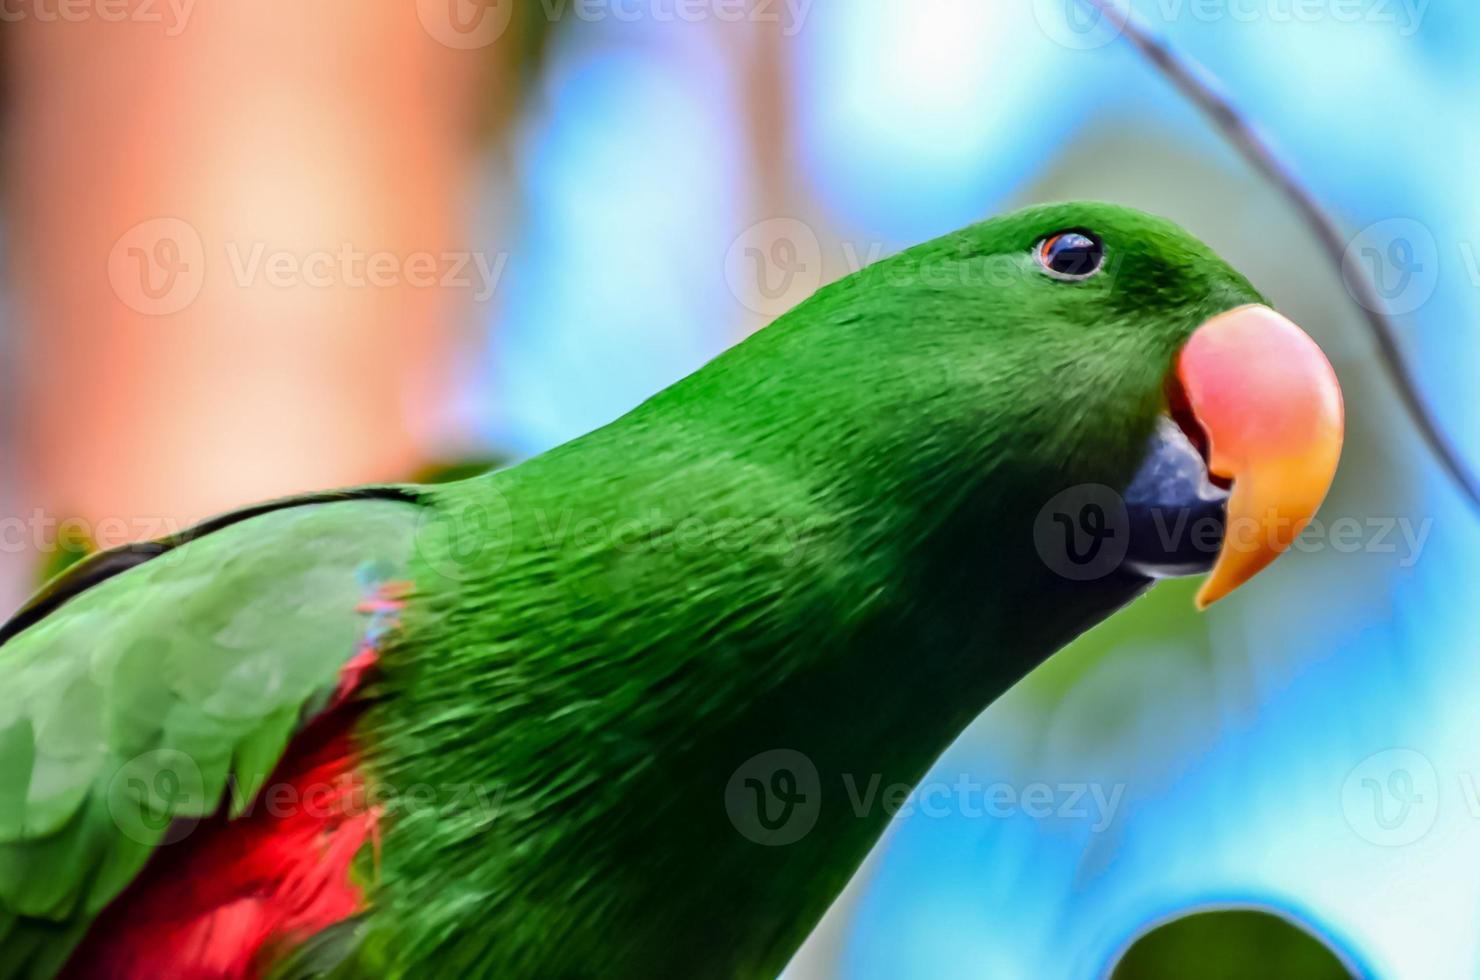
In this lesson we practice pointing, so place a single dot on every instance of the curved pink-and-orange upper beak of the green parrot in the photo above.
(1271, 406)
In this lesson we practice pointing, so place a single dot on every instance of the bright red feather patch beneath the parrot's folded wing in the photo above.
(230, 899)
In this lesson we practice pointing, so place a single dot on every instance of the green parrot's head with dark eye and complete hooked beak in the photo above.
(988, 374)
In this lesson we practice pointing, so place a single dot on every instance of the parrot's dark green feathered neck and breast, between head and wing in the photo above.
(680, 670)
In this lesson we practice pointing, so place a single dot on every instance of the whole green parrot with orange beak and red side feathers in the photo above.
(596, 714)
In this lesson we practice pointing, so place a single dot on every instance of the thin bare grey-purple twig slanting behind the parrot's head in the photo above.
(1202, 90)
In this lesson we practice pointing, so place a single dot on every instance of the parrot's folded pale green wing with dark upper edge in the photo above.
(162, 683)
